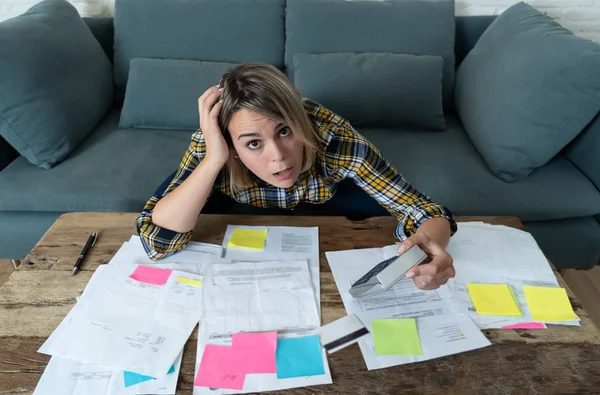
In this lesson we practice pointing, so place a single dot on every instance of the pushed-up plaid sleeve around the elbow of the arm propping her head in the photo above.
(161, 242)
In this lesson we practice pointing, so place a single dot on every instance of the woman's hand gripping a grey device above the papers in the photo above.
(430, 275)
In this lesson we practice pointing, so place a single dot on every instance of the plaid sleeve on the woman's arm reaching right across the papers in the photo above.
(361, 161)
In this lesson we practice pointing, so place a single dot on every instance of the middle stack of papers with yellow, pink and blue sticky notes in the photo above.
(267, 281)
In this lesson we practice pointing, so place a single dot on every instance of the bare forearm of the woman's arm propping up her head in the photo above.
(179, 210)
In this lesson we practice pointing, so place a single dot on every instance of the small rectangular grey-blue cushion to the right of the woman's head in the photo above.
(402, 90)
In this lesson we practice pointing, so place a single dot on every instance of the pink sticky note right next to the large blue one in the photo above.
(255, 352)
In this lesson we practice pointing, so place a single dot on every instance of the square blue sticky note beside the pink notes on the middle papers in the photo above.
(299, 357)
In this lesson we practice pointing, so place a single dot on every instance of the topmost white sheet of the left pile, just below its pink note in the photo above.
(129, 325)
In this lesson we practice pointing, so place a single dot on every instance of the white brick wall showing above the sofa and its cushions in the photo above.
(580, 16)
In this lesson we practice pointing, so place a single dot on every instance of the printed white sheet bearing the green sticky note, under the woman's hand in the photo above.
(441, 330)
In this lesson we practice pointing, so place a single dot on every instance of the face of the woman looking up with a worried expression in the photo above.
(266, 147)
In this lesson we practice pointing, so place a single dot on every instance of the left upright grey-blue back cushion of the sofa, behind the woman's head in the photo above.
(234, 31)
